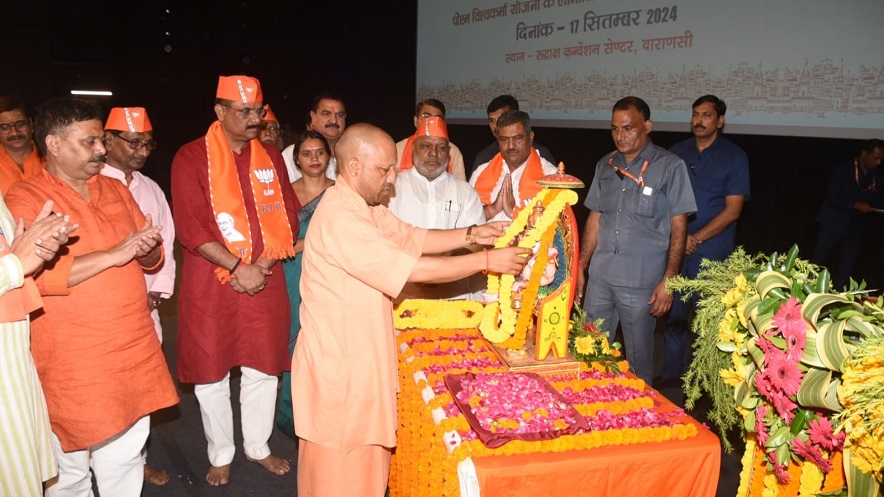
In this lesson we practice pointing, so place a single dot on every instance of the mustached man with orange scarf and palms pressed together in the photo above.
(509, 180)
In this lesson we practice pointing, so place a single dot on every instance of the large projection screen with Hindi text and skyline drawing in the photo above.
(785, 67)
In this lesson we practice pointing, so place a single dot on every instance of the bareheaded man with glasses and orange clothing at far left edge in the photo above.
(19, 157)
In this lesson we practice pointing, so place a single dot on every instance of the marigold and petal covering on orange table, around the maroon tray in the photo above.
(434, 436)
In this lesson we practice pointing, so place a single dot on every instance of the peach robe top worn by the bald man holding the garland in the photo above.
(344, 371)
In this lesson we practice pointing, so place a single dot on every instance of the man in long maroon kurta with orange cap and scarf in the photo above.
(235, 215)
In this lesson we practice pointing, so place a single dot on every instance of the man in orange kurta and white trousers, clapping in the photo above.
(95, 347)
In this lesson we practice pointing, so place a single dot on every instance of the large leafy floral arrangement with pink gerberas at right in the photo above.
(796, 361)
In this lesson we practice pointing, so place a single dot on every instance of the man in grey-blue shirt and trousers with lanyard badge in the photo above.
(635, 236)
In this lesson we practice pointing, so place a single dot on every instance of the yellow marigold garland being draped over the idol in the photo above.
(500, 323)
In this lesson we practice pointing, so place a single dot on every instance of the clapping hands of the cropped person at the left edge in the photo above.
(42, 240)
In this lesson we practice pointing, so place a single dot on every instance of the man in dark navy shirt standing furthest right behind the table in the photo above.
(719, 173)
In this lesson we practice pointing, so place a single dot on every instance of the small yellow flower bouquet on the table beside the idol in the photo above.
(589, 344)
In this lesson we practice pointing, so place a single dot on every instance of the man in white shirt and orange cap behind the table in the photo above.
(428, 196)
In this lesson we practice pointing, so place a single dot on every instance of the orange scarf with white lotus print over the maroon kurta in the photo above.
(228, 204)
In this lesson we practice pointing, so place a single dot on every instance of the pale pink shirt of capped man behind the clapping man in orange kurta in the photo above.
(151, 199)
